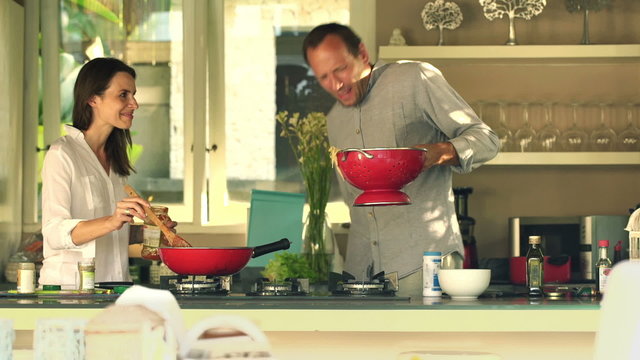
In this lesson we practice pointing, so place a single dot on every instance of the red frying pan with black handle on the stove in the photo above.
(215, 261)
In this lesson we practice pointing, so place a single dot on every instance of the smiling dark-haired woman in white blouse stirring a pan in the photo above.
(85, 211)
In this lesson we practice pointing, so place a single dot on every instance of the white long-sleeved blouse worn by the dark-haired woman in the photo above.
(75, 187)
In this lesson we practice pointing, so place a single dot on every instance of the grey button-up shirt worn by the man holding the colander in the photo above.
(406, 104)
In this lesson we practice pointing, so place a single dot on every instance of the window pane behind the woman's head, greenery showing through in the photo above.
(148, 36)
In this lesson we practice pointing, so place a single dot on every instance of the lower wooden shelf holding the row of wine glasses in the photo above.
(567, 158)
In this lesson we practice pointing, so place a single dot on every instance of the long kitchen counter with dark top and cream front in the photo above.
(371, 329)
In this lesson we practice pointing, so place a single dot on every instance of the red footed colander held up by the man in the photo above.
(381, 173)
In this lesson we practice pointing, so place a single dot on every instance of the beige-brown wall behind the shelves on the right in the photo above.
(504, 191)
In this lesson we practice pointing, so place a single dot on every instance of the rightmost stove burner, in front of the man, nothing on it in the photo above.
(346, 284)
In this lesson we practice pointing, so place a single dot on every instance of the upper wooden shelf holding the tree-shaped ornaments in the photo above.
(608, 53)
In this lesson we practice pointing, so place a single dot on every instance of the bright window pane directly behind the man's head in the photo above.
(266, 73)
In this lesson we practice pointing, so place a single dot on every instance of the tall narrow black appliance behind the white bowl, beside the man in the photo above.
(466, 224)
